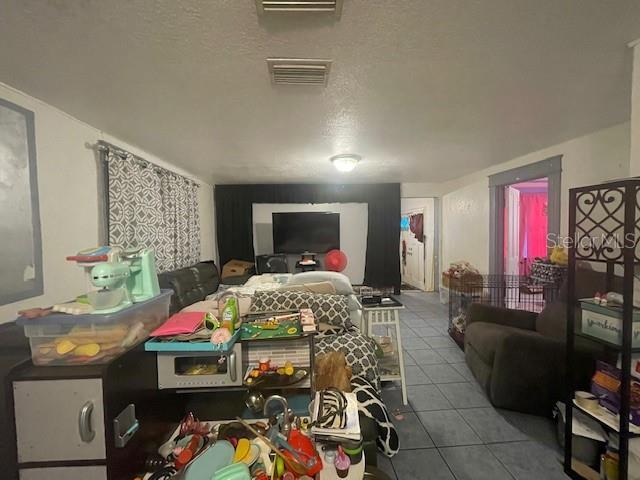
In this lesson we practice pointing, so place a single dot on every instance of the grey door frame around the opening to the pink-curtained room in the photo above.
(550, 168)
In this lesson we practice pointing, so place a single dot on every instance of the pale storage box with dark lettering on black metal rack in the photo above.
(605, 323)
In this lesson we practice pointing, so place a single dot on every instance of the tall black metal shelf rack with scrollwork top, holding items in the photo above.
(604, 224)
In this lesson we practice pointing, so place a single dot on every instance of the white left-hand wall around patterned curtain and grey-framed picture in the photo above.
(69, 201)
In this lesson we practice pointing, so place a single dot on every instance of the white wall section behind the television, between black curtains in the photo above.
(354, 220)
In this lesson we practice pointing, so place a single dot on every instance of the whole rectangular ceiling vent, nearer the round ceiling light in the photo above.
(296, 71)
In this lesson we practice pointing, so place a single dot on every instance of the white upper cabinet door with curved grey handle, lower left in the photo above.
(59, 420)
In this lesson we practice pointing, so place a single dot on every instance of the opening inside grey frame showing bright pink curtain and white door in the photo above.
(525, 224)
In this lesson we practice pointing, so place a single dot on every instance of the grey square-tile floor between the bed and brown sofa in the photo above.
(449, 430)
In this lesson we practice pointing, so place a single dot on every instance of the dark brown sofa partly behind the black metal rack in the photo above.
(518, 357)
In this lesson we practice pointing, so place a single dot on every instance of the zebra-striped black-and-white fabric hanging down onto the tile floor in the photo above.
(370, 404)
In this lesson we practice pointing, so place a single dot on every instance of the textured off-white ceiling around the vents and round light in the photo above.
(425, 90)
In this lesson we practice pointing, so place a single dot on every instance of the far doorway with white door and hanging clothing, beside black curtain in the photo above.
(417, 243)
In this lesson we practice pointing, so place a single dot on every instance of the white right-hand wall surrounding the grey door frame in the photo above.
(593, 158)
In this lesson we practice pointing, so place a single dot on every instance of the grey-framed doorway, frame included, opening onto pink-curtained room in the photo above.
(524, 215)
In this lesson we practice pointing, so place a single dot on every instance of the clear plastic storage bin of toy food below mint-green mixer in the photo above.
(61, 339)
